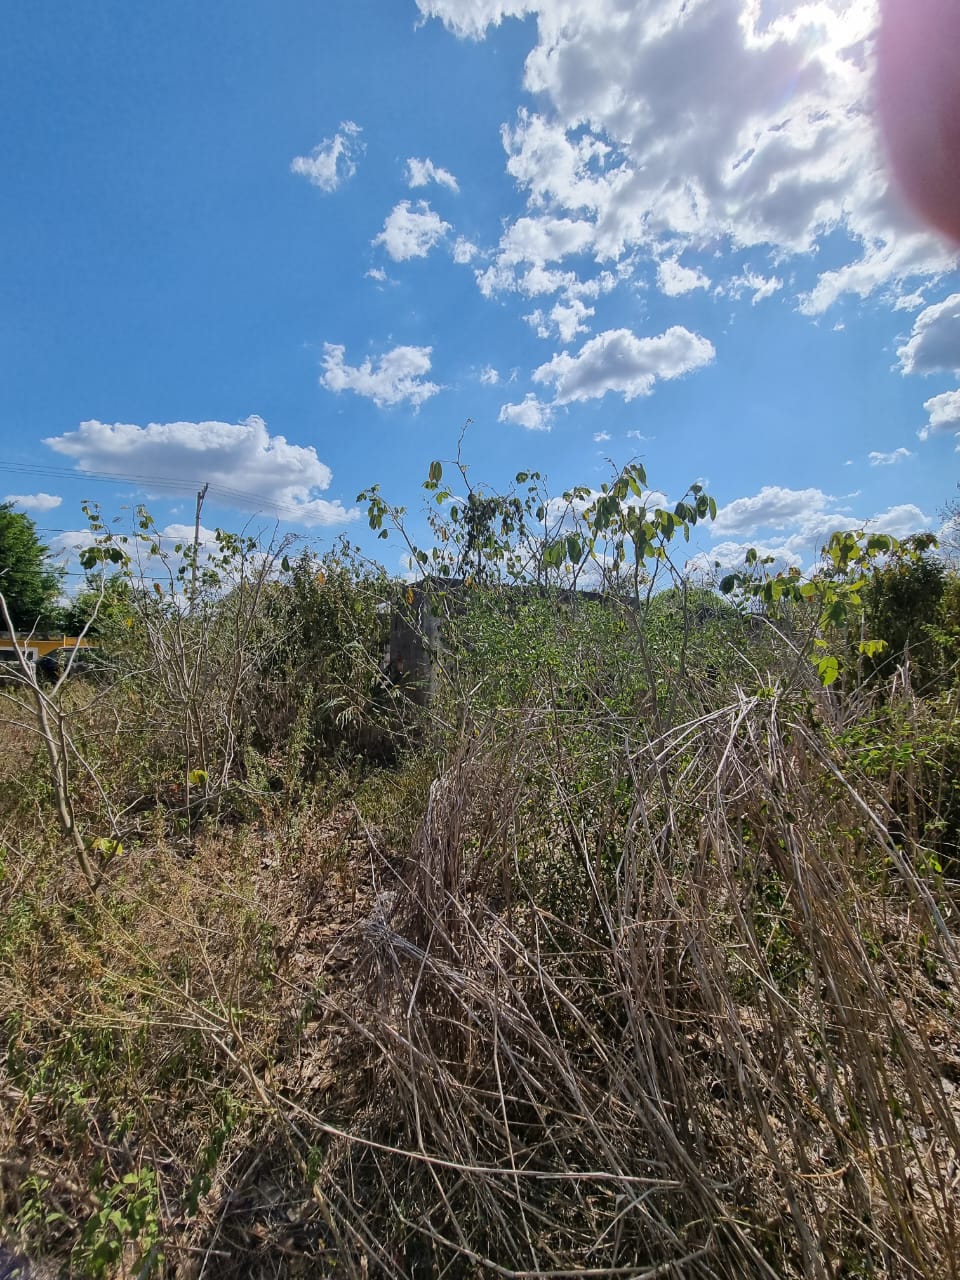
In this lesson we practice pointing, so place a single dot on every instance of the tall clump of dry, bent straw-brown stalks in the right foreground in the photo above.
(726, 1058)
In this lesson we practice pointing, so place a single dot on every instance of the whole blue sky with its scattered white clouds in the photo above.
(291, 249)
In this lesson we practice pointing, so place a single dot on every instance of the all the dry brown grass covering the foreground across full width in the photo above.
(696, 1017)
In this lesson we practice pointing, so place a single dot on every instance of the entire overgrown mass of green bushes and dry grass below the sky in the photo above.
(634, 953)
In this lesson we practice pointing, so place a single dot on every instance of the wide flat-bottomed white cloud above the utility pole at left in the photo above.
(246, 468)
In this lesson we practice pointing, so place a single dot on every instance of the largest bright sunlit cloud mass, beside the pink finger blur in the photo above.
(668, 125)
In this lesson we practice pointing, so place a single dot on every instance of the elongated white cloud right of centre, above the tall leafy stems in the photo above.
(620, 362)
